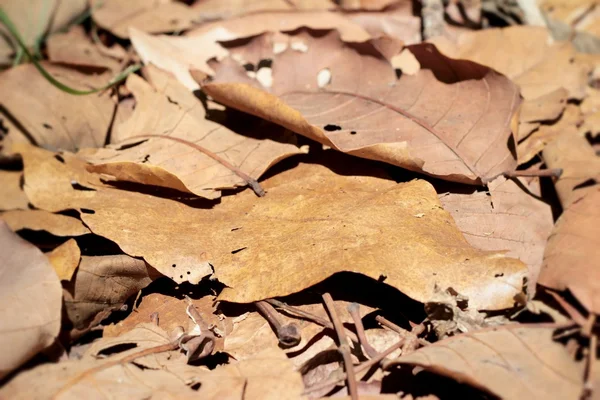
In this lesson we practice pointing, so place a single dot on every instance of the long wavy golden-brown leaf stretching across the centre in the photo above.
(312, 224)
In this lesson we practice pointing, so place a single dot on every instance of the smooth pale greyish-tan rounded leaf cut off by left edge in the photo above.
(30, 295)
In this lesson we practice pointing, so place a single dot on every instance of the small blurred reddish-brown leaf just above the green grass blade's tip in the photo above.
(75, 48)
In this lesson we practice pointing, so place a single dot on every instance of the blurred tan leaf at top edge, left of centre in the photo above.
(117, 16)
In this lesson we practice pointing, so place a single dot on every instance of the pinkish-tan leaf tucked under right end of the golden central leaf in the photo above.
(506, 217)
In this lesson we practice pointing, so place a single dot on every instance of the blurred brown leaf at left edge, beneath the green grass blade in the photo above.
(51, 117)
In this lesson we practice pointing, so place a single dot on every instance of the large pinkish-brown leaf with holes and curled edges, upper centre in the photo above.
(438, 121)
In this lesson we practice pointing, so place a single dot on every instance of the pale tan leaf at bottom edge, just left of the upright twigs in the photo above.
(269, 375)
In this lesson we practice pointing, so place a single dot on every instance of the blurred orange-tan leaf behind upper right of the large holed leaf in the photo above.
(536, 63)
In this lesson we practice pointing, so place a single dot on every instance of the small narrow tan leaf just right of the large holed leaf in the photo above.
(567, 125)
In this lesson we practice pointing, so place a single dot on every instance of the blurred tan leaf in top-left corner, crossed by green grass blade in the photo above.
(35, 18)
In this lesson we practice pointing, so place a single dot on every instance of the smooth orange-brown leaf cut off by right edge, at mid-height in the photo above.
(573, 251)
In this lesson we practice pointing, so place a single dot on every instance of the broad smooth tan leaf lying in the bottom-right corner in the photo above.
(506, 361)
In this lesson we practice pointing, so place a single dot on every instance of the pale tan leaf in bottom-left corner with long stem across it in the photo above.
(64, 380)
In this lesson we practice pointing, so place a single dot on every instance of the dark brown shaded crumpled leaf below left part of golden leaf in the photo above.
(101, 285)
